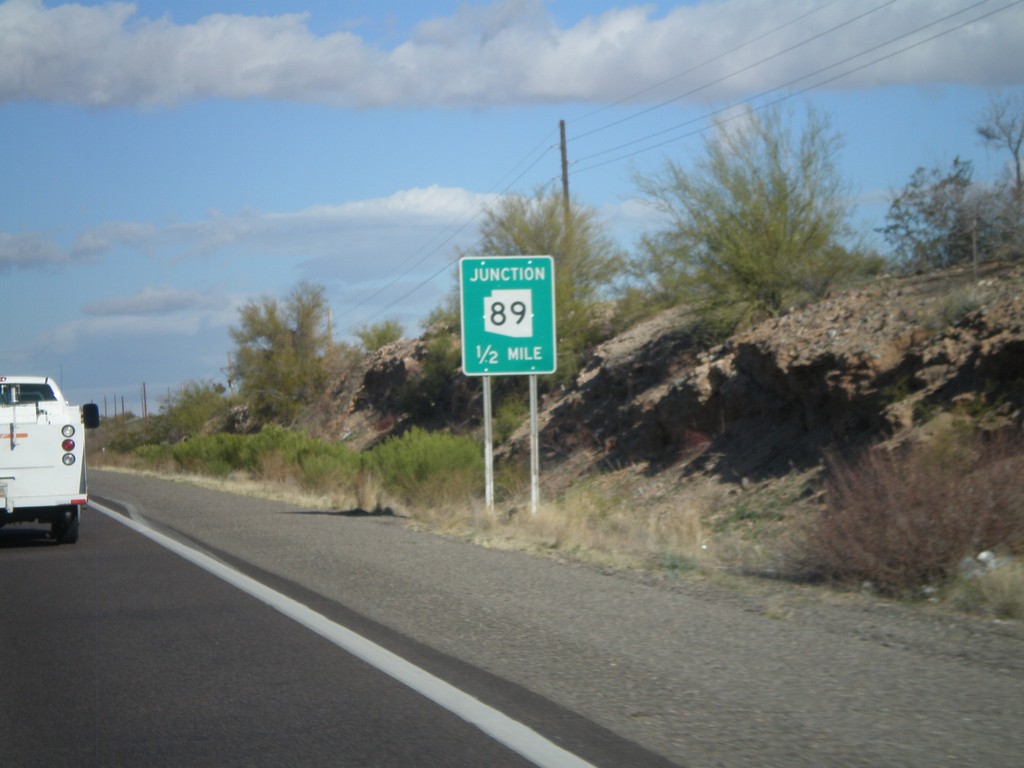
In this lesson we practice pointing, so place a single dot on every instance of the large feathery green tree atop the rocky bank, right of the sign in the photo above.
(756, 227)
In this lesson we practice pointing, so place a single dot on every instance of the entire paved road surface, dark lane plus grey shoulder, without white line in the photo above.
(115, 652)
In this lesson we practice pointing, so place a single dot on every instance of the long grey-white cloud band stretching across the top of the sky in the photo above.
(503, 53)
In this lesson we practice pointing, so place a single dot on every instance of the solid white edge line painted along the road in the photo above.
(502, 729)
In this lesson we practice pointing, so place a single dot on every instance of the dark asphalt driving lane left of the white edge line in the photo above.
(116, 653)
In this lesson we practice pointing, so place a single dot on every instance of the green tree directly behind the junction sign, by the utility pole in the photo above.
(587, 262)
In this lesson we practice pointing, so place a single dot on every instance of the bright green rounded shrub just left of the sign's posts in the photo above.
(425, 468)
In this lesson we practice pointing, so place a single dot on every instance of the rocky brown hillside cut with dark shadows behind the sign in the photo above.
(881, 362)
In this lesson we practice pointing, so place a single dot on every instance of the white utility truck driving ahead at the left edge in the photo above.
(42, 455)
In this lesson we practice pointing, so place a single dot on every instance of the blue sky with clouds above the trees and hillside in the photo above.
(166, 162)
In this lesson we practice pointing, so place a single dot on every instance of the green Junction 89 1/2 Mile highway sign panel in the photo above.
(508, 316)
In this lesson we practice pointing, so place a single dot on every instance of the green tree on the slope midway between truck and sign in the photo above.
(280, 351)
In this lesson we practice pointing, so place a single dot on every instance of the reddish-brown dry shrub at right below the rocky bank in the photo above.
(906, 520)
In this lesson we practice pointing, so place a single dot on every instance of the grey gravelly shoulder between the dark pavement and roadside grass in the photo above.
(703, 672)
